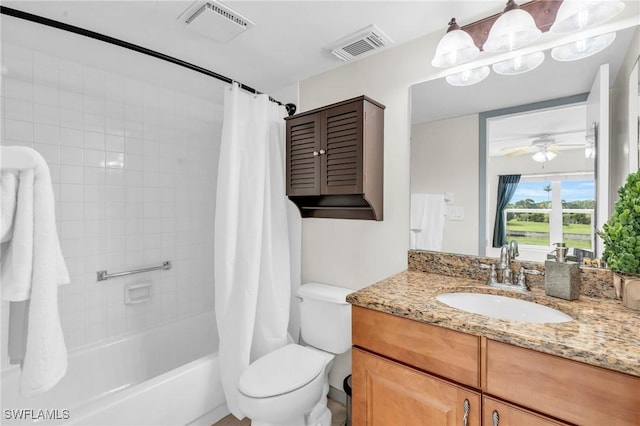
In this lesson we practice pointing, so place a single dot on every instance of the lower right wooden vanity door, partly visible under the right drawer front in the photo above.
(497, 413)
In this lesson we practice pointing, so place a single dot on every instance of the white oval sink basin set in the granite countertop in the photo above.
(503, 307)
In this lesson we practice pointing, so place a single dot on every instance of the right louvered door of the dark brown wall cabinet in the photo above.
(341, 159)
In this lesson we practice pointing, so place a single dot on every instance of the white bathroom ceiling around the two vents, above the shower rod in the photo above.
(287, 44)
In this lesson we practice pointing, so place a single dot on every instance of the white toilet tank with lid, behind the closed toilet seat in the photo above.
(325, 317)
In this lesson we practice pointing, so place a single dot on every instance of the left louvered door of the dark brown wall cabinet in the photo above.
(303, 155)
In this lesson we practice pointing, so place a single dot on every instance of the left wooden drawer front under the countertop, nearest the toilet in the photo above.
(444, 352)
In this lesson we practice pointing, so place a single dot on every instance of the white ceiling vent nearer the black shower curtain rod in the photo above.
(217, 21)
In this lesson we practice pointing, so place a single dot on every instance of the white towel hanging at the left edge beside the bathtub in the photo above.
(32, 268)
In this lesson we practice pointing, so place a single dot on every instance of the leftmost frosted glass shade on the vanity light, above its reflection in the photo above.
(455, 47)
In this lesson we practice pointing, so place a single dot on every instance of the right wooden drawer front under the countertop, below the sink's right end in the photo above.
(569, 390)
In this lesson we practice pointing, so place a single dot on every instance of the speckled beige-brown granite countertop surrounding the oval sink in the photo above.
(603, 332)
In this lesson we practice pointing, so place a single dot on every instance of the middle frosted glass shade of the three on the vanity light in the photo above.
(514, 29)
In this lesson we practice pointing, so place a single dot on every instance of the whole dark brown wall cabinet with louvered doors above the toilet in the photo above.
(335, 160)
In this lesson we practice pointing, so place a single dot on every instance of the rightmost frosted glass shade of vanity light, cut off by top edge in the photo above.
(577, 15)
